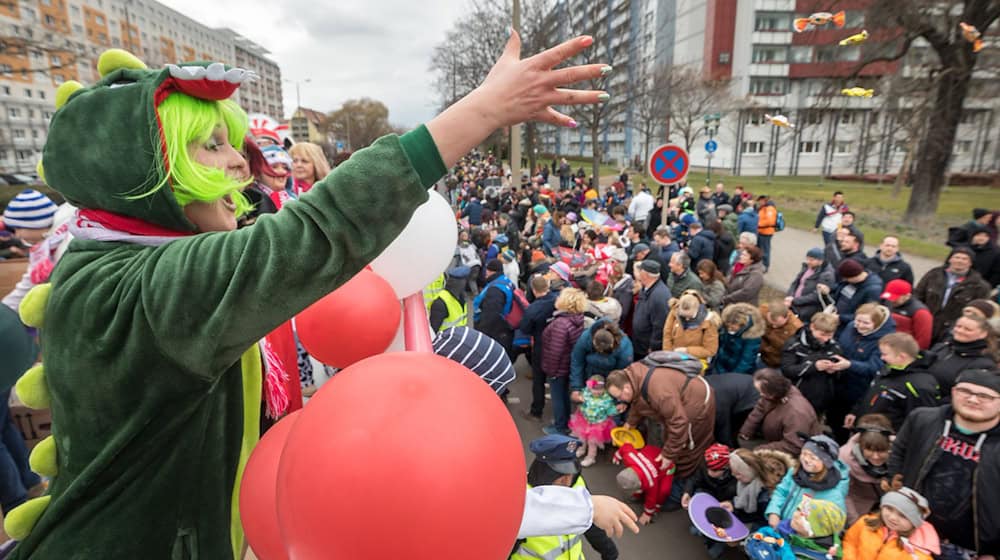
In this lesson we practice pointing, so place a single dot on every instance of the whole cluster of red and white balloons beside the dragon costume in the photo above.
(361, 471)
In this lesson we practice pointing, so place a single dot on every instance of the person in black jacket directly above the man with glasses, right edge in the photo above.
(971, 345)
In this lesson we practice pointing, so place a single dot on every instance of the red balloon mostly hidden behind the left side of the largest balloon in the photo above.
(258, 510)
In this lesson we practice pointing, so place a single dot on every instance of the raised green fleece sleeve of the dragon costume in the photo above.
(208, 297)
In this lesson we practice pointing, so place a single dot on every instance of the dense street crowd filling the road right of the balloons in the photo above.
(863, 400)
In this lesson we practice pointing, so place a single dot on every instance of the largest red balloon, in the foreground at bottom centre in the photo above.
(403, 455)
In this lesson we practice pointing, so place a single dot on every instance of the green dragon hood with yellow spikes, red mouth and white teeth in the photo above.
(105, 148)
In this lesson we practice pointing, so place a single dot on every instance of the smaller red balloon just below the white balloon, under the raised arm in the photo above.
(355, 321)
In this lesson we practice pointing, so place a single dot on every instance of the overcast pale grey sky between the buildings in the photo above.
(374, 48)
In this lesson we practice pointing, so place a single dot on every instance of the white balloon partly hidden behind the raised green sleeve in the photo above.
(422, 251)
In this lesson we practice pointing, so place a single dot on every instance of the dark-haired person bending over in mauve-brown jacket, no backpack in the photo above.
(781, 414)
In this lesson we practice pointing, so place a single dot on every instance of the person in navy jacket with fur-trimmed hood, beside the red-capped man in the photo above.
(860, 363)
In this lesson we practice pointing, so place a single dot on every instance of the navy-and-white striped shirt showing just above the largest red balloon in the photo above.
(478, 352)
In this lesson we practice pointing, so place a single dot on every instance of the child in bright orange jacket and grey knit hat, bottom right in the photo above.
(897, 531)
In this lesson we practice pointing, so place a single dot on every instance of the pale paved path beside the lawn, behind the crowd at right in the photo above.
(789, 252)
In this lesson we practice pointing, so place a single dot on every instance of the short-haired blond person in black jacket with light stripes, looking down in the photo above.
(902, 385)
